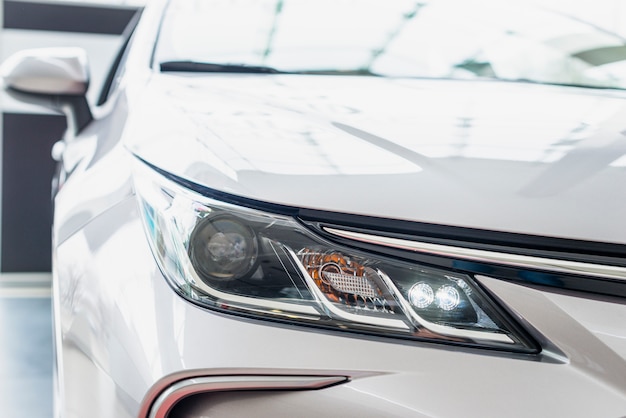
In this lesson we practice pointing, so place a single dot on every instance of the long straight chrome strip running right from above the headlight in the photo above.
(514, 260)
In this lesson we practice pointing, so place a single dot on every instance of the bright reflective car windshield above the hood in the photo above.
(505, 40)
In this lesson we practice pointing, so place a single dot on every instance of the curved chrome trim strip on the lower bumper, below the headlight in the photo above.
(192, 386)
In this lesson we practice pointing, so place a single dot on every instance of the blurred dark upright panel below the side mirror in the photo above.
(27, 170)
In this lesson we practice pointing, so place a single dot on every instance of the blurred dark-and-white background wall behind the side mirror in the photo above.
(29, 134)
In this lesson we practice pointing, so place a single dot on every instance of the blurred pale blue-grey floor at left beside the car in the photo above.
(25, 346)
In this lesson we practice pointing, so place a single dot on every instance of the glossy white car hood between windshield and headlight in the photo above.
(524, 158)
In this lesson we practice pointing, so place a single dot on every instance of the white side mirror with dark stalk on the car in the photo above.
(57, 78)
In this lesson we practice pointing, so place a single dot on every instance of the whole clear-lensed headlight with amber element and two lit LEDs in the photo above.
(249, 262)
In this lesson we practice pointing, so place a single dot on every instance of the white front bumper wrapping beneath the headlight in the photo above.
(126, 338)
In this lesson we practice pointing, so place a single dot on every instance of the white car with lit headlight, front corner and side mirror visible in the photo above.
(341, 208)
